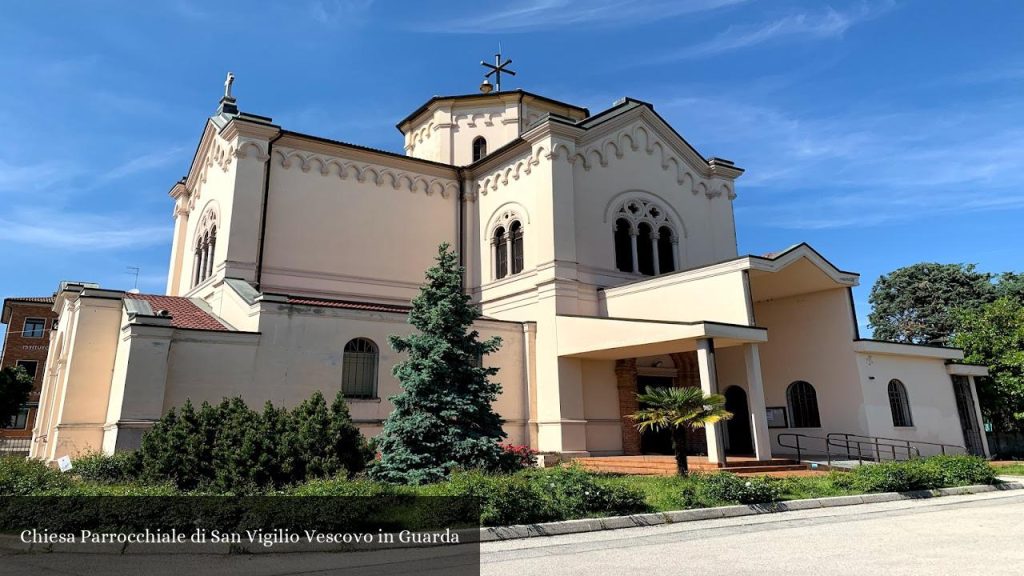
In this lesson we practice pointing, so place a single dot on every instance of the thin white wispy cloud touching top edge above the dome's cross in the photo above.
(545, 15)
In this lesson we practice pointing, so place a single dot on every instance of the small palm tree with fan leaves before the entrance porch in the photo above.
(679, 410)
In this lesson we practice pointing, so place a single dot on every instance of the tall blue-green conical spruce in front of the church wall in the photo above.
(443, 419)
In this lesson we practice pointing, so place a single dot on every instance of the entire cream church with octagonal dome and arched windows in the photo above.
(601, 248)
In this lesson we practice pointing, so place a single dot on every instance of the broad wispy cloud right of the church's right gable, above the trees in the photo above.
(863, 169)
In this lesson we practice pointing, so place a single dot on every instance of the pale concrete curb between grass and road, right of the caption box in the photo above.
(615, 523)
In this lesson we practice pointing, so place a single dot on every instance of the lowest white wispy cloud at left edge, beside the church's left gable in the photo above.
(86, 232)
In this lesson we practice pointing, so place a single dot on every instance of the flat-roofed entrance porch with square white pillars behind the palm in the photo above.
(679, 354)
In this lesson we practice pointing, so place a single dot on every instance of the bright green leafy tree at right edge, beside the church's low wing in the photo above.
(994, 336)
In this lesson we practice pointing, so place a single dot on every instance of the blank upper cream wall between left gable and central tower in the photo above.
(327, 212)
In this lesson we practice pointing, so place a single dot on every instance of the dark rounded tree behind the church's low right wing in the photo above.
(917, 304)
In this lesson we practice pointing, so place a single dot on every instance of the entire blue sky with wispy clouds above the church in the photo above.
(882, 133)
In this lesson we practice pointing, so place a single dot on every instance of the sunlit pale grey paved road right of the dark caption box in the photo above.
(980, 534)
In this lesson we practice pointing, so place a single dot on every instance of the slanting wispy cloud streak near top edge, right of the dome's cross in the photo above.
(818, 26)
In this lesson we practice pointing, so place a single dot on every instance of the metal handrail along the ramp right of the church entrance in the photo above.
(847, 446)
